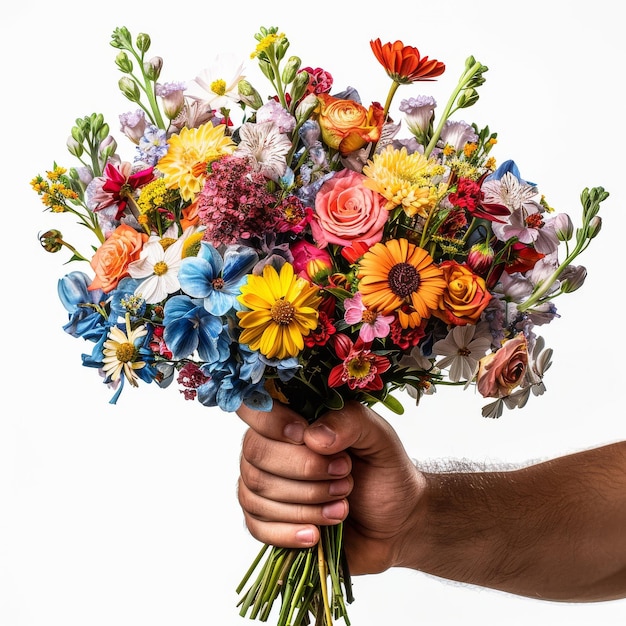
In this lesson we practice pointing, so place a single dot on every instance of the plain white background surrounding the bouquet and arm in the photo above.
(127, 515)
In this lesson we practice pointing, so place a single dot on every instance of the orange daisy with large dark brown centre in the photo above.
(397, 273)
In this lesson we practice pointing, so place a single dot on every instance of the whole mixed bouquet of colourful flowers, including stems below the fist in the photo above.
(310, 253)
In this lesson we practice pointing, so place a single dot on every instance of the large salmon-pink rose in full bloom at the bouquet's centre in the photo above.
(347, 211)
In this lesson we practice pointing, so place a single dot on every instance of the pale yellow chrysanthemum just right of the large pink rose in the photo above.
(404, 179)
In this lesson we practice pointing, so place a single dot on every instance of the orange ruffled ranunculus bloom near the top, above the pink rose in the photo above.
(346, 125)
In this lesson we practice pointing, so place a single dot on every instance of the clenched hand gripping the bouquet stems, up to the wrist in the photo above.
(296, 477)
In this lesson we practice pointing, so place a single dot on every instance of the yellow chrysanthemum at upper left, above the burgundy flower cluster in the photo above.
(188, 154)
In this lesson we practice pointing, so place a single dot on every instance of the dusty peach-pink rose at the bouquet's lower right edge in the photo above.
(501, 371)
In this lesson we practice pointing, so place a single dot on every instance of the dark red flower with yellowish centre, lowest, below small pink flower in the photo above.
(361, 368)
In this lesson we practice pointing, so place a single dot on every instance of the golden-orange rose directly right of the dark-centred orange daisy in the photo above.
(465, 297)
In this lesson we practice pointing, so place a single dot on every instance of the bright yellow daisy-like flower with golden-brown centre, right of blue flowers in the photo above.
(282, 310)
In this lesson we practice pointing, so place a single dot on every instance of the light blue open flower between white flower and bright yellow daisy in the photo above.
(217, 279)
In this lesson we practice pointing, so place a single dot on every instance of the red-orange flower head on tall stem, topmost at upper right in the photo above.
(404, 64)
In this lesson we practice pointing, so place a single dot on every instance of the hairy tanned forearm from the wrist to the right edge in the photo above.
(555, 530)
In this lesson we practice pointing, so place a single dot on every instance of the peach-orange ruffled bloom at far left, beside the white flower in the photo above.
(111, 260)
